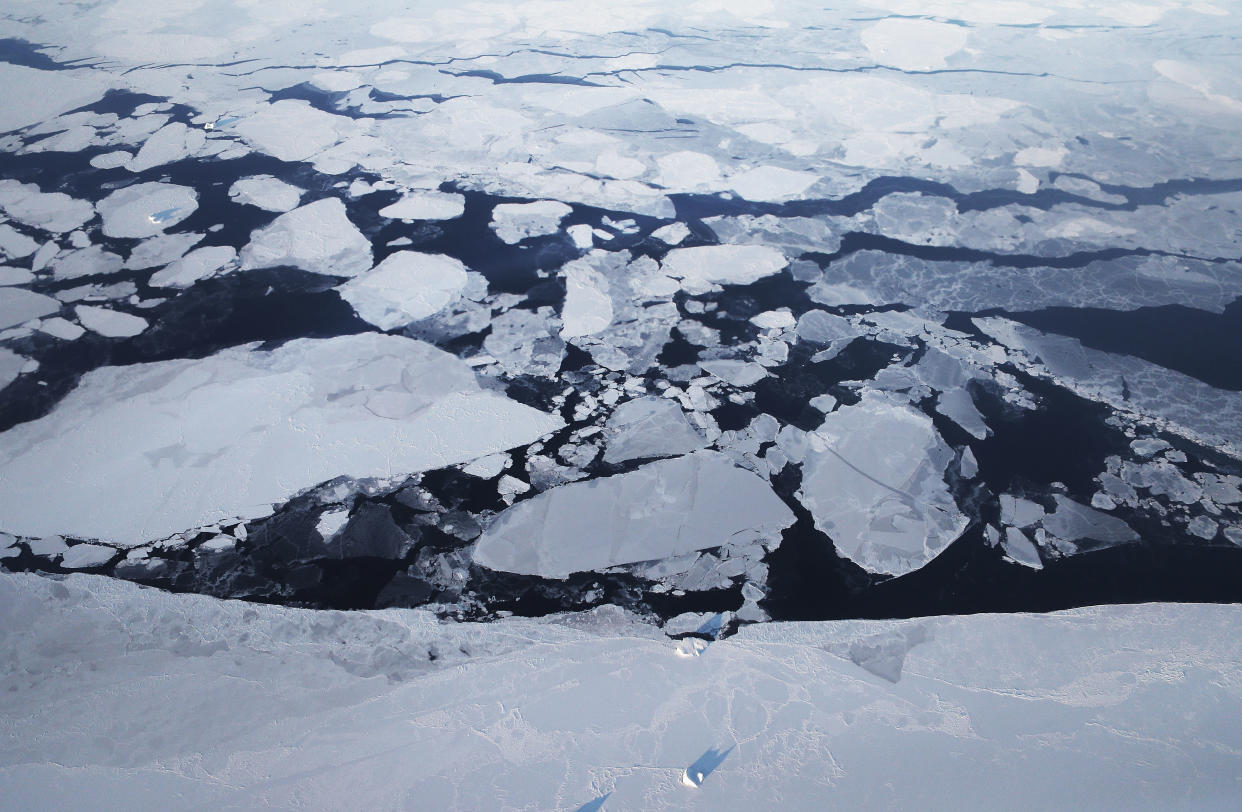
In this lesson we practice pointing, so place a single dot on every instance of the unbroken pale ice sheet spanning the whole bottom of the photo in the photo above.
(555, 713)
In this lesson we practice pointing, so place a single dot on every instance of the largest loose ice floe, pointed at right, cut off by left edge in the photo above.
(146, 451)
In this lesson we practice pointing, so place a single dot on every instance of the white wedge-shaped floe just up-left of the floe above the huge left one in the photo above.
(317, 238)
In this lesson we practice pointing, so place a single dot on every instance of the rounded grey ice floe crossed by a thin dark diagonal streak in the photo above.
(874, 481)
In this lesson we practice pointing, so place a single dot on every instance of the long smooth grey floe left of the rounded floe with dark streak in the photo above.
(663, 510)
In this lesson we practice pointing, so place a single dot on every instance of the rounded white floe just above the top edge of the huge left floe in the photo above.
(406, 287)
